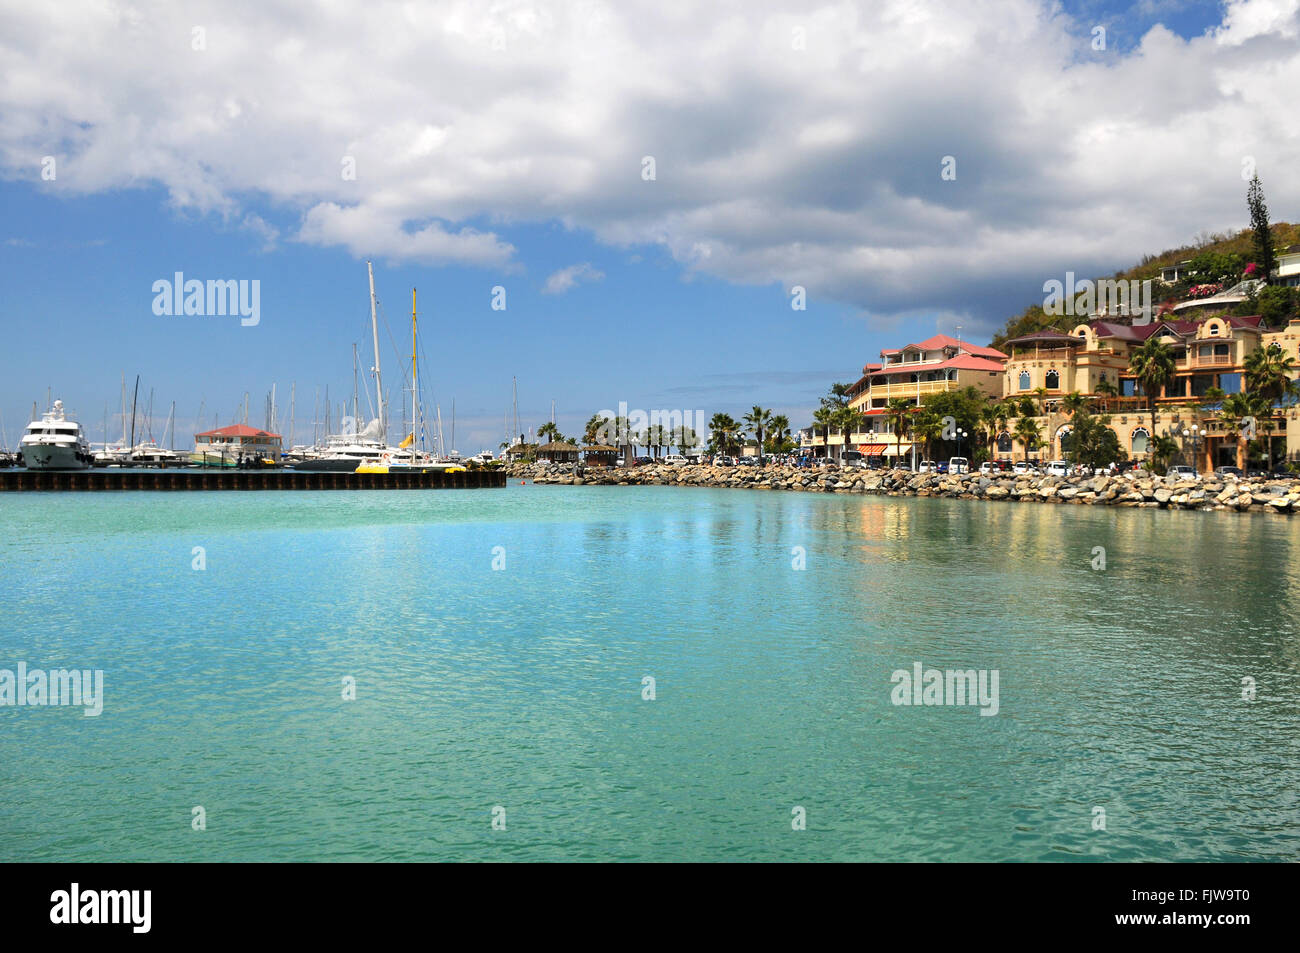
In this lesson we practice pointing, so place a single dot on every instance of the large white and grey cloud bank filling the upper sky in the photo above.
(775, 164)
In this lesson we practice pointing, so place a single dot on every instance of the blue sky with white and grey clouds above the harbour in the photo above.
(655, 187)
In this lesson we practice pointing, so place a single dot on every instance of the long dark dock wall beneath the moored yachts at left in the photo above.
(111, 479)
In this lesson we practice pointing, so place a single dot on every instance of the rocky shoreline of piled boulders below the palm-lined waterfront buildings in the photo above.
(1255, 495)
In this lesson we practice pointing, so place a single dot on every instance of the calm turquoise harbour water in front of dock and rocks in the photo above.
(522, 687)
